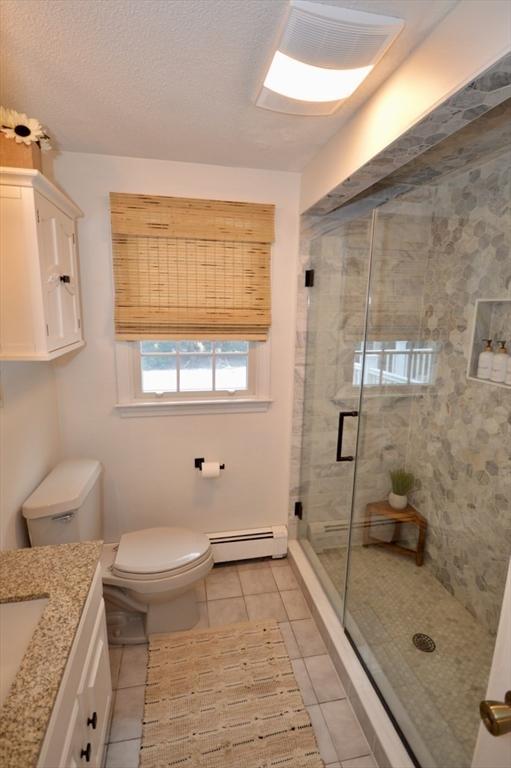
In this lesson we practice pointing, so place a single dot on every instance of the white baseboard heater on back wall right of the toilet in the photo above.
(247, 544)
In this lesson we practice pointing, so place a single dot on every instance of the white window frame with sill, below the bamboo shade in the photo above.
(132, 401)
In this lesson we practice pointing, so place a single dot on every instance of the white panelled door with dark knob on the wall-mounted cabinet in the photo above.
(59, 275)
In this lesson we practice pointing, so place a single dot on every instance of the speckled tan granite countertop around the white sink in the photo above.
(63, 573)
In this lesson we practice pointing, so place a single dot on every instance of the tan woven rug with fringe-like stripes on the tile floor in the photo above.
(225, 698)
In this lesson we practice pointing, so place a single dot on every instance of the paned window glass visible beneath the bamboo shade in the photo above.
(192, 367)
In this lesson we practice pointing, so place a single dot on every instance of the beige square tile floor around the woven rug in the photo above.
(239, 592)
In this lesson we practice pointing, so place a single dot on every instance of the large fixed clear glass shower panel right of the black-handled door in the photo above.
(425, 584)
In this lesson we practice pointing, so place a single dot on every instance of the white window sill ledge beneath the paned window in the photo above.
(192, 407)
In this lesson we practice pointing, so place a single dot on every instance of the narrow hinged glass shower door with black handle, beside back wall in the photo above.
(336, 318)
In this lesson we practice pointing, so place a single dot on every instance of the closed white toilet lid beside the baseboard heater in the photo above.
(155, 550)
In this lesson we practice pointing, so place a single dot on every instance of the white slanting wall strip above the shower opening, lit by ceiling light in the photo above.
(472, 37)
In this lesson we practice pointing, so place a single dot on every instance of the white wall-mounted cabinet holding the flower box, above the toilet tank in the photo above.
(39, 281)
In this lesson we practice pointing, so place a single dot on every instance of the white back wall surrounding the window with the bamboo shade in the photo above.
(149, 475)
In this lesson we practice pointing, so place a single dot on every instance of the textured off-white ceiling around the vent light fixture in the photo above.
(173, 79)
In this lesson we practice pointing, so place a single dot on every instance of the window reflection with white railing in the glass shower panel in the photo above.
(396, 363)
